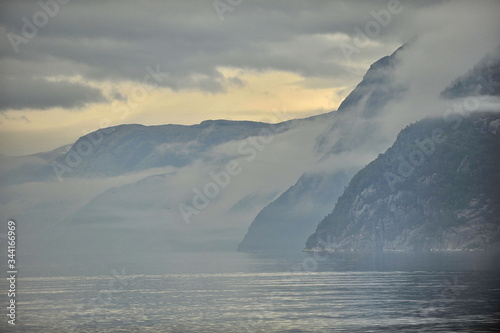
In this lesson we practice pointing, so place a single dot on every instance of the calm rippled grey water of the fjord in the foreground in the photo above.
(234, 292)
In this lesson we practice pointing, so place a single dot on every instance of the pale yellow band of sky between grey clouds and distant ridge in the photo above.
(270, 97)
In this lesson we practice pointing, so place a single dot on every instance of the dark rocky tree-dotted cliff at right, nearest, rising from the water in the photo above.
(436, 188)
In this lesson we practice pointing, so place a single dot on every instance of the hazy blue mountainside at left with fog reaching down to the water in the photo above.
(155, 188)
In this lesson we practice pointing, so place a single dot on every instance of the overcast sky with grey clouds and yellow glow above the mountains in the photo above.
(71, 67)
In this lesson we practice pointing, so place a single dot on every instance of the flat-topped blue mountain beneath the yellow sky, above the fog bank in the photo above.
(126, 148)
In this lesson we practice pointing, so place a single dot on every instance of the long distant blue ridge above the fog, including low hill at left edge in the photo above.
(128, 148)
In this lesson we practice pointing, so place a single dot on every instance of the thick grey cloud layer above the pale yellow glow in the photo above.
(117, 40)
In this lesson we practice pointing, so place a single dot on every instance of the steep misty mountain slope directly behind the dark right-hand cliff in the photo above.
(292, 217)
